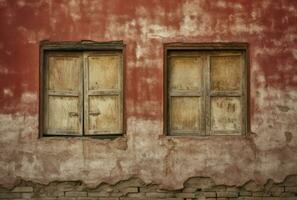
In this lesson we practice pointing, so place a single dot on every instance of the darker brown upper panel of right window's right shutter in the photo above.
(225, 73)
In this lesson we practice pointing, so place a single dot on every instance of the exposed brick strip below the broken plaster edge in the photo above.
(197, 188)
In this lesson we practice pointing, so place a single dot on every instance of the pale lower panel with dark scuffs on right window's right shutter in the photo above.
(226, 114)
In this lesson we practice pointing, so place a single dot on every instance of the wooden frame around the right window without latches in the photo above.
(208, 47)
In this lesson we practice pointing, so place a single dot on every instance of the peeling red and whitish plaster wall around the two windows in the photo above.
(269, 152)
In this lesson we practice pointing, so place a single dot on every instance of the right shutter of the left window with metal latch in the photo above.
(103, 104)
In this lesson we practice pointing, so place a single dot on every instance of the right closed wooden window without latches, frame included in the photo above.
(206, 89)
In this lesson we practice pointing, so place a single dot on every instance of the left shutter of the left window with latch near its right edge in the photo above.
(63, 94)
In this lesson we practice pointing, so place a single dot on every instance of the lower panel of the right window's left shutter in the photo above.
(185, 113)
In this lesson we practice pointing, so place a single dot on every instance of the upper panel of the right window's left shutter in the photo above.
(185, 73)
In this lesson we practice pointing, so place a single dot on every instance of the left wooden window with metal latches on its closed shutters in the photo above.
(81, 90)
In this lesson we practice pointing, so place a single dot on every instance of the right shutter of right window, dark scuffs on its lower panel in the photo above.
(226, 93)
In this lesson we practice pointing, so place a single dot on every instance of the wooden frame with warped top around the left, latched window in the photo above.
(69, 46)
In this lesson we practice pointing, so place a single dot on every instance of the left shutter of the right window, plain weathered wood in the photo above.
(186, 93)
